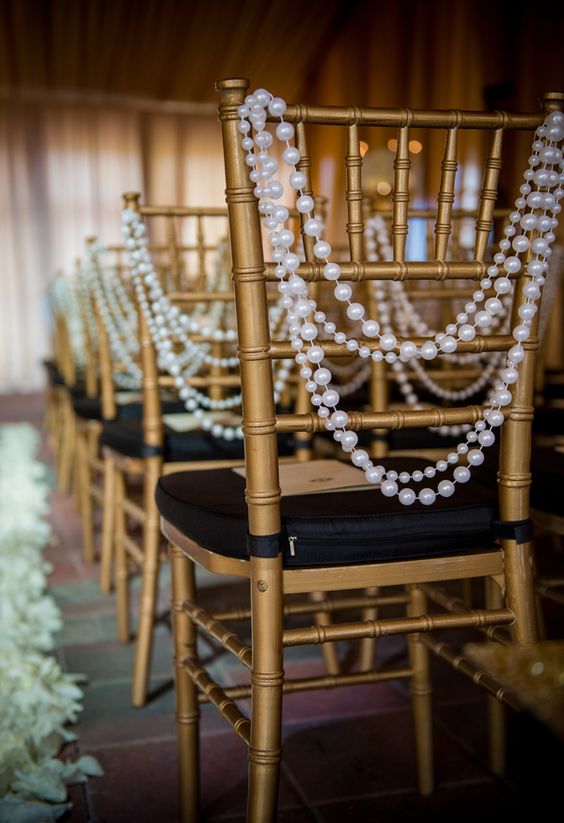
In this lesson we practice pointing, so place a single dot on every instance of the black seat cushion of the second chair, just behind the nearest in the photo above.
(126, 436)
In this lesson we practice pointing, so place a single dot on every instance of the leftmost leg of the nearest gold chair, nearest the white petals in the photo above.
(187, 707)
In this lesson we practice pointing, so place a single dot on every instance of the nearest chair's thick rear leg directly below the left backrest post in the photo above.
(266, 689)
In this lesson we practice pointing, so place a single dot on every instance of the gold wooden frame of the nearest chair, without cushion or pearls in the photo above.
(509, 564)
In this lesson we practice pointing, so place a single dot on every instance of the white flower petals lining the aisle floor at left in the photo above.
(37, 699)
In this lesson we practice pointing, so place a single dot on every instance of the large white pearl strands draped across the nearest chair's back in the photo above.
(535, 211)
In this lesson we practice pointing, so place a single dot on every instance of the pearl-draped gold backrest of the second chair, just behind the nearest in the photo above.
(190, 278)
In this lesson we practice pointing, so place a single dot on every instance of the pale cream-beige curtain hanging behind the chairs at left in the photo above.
(63, 169)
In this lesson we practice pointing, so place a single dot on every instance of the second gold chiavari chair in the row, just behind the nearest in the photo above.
(147, 448)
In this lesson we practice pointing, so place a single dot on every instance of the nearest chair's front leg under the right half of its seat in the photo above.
(420, 687)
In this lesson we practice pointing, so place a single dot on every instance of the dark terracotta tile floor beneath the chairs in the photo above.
(348, 754)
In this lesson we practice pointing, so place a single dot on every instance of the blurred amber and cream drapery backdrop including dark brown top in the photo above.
(102, 96)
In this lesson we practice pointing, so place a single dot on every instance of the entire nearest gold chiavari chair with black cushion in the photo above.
(350, 540)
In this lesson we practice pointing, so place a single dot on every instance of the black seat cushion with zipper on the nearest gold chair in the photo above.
(331, 529)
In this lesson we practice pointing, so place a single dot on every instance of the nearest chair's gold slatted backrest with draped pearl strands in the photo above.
(535, 211)
